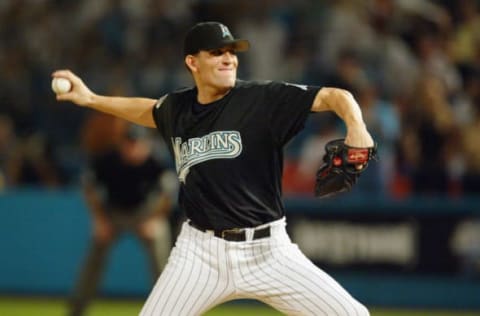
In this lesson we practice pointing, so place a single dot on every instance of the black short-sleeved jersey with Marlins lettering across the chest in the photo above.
(229, 153)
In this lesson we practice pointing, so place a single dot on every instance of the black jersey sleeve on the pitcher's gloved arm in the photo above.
(288, 108)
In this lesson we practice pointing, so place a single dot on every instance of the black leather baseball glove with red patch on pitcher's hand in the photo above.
(342, 166)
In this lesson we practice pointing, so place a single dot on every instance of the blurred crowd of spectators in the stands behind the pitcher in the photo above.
(413, 66)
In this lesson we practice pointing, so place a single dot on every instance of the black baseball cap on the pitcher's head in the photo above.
(211, 35)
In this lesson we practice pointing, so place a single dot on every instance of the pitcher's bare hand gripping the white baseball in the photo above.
(78, 93)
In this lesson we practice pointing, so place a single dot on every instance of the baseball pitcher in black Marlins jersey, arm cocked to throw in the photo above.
(227, 138)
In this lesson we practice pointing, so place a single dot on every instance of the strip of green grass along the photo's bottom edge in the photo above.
(18, 306)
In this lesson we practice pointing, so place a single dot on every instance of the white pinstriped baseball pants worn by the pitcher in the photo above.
(204, 271)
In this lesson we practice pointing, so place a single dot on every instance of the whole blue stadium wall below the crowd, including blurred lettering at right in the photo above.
(408, 253)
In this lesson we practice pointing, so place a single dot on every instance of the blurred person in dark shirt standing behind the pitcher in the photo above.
(127, 189)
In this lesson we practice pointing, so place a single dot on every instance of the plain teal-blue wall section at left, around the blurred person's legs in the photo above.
(43, 241)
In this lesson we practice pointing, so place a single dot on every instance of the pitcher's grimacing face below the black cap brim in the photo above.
(217, 68)
